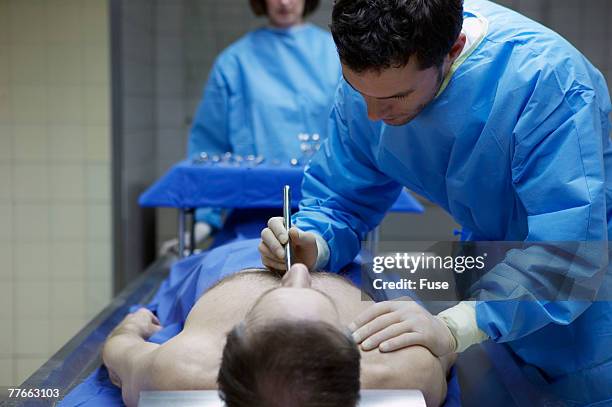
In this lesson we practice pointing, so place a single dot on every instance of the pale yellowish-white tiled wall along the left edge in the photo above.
(55, 251)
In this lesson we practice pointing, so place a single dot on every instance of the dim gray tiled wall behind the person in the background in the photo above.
(169, 47)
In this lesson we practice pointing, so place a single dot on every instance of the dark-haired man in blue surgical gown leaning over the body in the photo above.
(502, 123)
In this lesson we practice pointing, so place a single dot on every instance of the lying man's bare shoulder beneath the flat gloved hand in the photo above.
(414, 367)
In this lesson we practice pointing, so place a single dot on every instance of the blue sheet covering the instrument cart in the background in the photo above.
(188, 185)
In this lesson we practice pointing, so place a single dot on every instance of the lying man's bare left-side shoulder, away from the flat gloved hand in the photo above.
(185, 363)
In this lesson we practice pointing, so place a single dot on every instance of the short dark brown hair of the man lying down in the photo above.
(289, 363)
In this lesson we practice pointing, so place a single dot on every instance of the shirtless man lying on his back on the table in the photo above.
(266, 340)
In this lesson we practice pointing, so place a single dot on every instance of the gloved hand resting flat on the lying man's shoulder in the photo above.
(392, 325)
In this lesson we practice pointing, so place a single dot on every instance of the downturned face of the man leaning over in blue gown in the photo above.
(396, 95)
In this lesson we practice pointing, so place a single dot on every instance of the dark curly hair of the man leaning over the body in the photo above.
(380, 34)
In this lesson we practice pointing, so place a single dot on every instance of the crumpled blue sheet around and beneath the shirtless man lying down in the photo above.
(188, 279)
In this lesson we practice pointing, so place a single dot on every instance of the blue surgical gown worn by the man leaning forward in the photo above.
(516, 148)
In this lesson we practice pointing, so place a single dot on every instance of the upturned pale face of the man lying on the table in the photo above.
(294, 299)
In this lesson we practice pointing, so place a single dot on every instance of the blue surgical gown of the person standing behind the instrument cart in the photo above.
(264, 90)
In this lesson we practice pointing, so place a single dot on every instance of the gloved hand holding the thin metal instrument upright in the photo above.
(273, 239)
